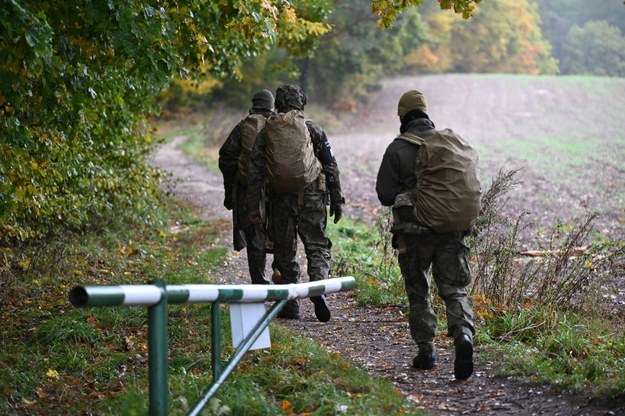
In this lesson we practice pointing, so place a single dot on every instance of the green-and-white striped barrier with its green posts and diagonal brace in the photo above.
(158, 295)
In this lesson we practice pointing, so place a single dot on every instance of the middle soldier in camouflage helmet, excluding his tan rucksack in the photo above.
(301, 213)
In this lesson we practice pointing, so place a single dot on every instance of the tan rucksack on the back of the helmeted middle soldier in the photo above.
(291, 161)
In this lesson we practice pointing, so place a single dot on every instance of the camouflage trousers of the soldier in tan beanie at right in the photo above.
(446, 254)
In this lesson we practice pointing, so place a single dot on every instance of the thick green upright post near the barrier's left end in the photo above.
(157, 353)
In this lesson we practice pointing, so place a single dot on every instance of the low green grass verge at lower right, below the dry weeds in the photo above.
(569, 351)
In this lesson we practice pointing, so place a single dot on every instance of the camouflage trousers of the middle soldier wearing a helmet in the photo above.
(301, 214)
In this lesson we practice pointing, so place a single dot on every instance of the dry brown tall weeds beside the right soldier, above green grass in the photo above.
(569, 272)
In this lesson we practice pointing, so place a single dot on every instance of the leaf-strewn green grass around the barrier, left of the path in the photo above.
(60, 360)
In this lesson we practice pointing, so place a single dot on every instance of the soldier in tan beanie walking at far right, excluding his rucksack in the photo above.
(421, 247)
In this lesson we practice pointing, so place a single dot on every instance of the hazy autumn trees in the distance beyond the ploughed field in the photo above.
(503, 36)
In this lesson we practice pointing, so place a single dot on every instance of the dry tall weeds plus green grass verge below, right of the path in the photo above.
(547, 313)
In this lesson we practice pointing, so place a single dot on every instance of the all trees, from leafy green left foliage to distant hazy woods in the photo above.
(80, 82)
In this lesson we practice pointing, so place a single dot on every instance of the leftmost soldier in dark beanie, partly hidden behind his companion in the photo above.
(245, 234)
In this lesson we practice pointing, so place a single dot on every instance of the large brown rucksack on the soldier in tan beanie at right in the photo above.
(447, 195)
